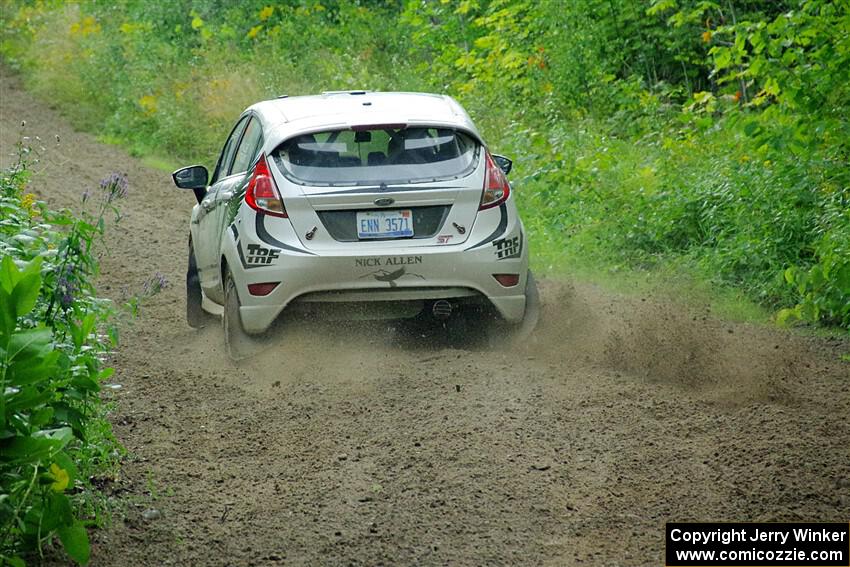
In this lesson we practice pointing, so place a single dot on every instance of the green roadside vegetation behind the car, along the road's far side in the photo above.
(700, 139)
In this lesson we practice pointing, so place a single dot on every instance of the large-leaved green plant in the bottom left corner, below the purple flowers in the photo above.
(35, 424)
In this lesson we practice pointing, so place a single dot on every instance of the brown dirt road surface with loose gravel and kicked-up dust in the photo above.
(346, 446)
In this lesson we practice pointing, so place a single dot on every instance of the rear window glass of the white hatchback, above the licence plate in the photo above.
(378, 155)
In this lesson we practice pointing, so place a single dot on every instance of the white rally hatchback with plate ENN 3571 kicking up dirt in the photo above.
(389, 202)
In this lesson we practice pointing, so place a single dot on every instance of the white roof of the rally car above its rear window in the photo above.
(285, 117)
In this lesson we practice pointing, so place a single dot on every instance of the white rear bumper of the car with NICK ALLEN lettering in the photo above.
(409, 273)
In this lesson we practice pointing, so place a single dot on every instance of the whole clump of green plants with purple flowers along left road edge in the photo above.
(54, 436)
